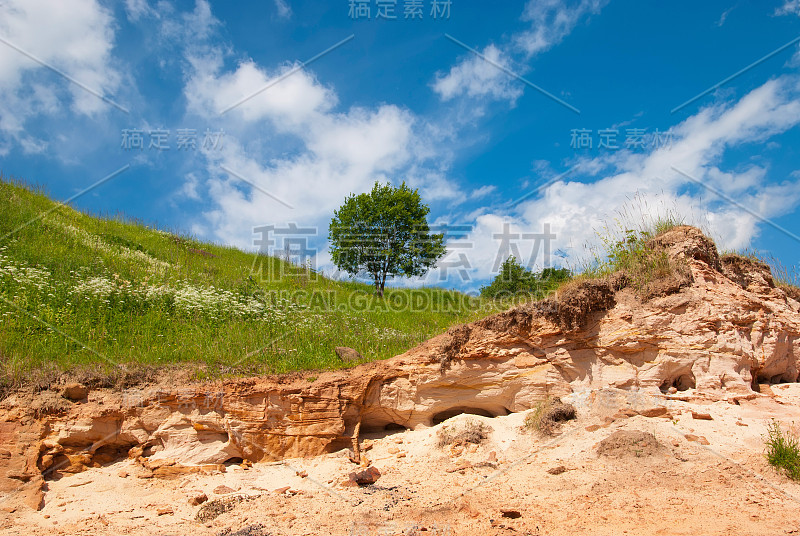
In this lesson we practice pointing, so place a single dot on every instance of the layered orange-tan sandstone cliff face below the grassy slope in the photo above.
(716, 337)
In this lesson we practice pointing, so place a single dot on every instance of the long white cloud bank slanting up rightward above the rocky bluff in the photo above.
(635, 188)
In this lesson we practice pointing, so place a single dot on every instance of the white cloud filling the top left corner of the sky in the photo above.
(74, 36)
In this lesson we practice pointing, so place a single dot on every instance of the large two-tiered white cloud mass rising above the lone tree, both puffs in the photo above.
(331, 152)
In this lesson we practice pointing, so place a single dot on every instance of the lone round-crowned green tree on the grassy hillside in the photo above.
(384, 233)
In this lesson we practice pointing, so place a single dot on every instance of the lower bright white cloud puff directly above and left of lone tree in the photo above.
(343, 154)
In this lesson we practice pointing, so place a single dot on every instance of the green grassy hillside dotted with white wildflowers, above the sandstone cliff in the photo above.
(78, 293)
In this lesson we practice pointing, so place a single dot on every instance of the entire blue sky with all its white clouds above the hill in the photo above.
(489, 110)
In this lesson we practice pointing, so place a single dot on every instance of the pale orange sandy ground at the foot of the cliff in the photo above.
(502, 486)
